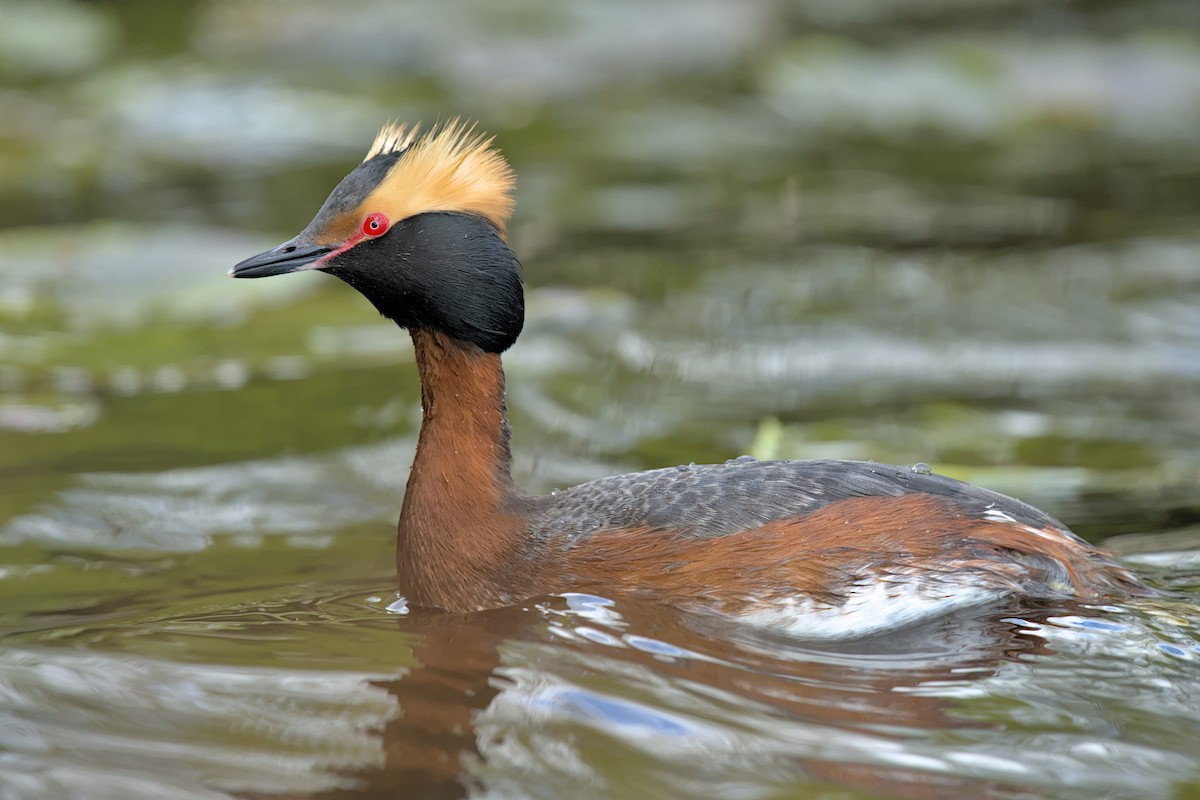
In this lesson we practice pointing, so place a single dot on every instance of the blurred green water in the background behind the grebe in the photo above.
(961, 233)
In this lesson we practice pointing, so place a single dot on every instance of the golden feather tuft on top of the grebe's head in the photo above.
(449, 169)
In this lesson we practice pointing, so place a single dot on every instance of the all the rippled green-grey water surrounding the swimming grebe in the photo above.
(913, 232)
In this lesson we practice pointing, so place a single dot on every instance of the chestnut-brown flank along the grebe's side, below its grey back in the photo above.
(823, 555)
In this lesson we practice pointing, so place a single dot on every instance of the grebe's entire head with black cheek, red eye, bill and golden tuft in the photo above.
(418, 230)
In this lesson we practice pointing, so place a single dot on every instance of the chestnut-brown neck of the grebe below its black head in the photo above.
(460, 543)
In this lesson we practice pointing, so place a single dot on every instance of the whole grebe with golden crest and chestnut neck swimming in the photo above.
(823, 548)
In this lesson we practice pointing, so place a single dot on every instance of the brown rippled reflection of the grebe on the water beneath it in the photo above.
(513, 697)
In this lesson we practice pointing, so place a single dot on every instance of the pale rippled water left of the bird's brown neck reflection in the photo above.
(152, 729)
